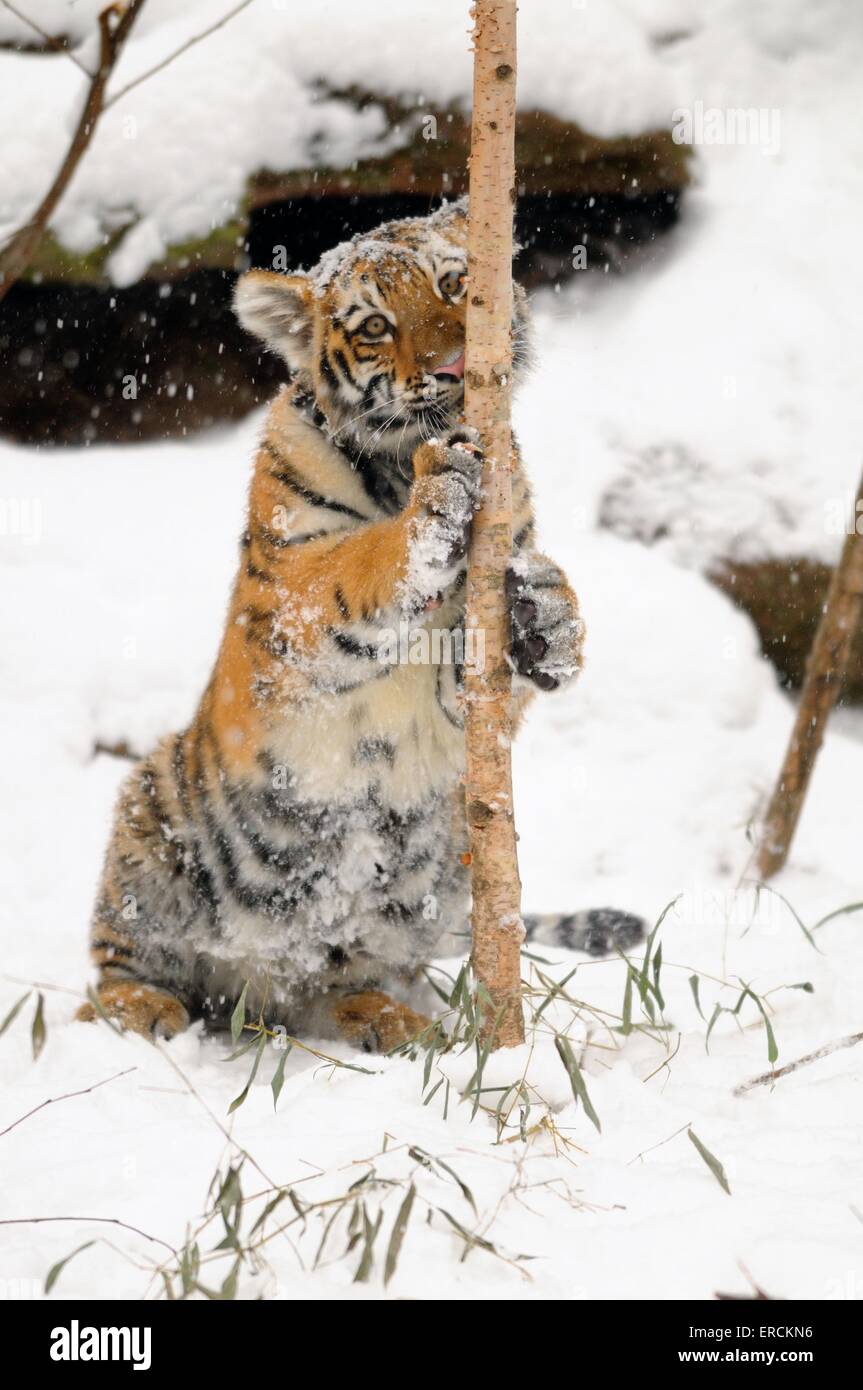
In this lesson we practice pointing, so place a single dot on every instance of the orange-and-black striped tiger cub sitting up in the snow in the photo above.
(306, 832)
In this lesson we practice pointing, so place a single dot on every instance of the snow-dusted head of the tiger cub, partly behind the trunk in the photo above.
(377, 330)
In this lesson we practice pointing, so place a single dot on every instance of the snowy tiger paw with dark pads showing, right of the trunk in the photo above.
(548, 630)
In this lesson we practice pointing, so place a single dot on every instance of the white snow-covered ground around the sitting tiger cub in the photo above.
(632, 790)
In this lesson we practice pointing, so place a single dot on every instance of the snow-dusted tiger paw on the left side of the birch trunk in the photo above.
(445, 496)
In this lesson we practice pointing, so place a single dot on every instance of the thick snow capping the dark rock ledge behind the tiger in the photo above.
(176, 154)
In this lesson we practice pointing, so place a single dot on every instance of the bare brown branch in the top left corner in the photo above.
(115, 26)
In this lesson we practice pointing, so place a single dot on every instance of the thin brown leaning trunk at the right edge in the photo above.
(825, 672)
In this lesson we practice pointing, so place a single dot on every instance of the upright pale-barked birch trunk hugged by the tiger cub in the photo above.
(497, 889)
